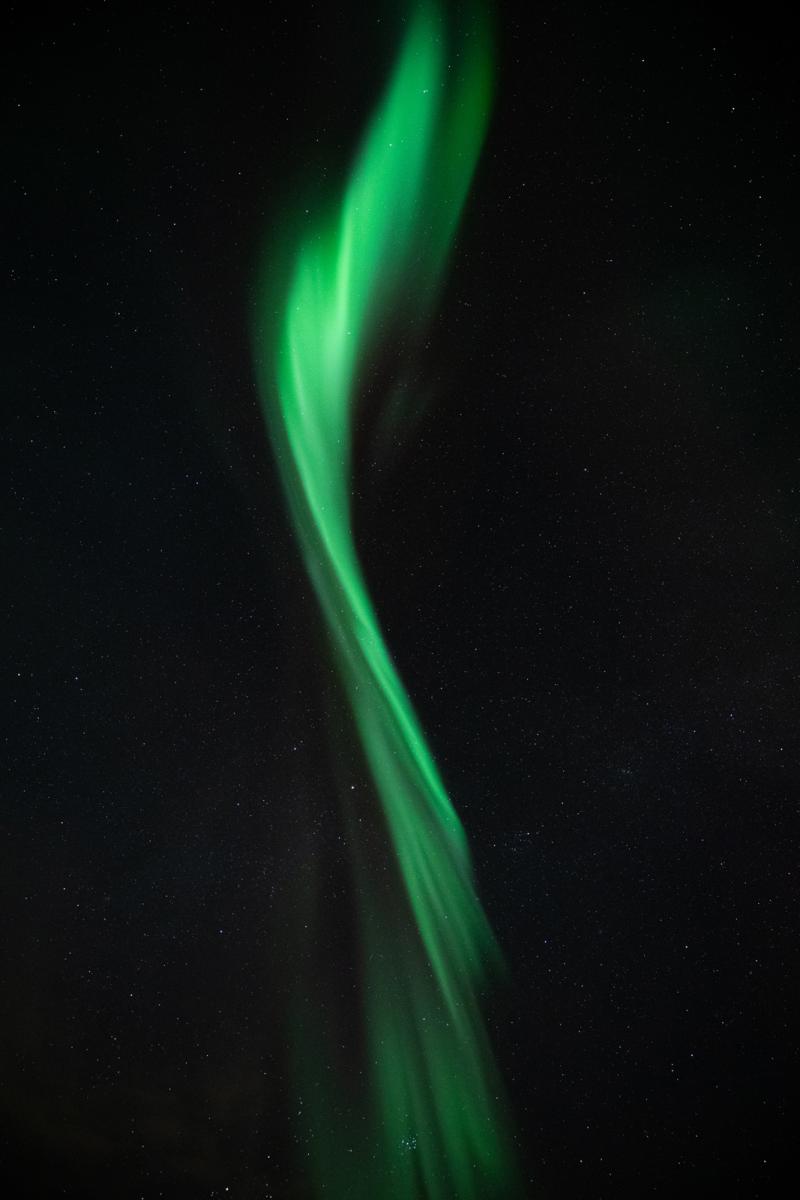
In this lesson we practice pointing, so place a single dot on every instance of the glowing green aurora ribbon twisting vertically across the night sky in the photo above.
(428, 1120)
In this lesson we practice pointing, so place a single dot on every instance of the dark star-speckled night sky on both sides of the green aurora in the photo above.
(585, 555)
